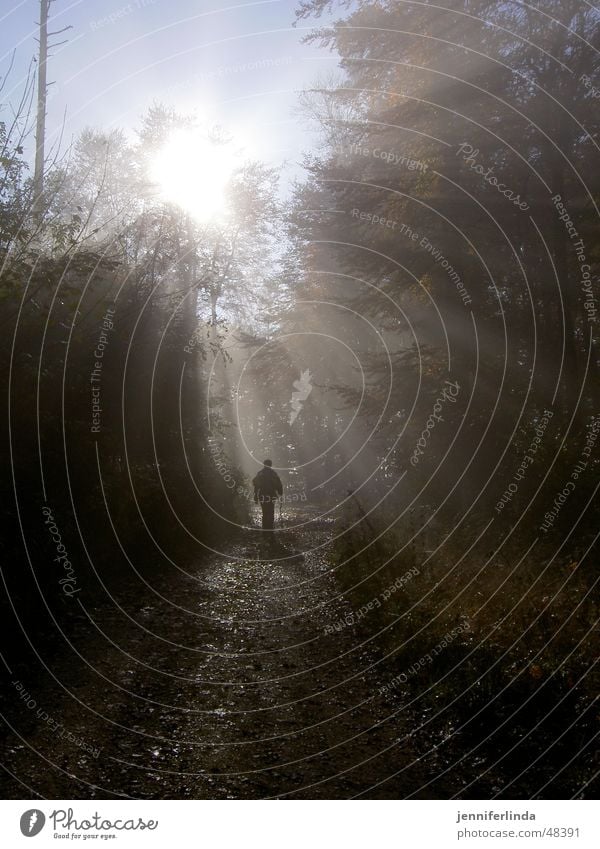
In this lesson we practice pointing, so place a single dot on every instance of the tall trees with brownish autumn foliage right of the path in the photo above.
(458, 128)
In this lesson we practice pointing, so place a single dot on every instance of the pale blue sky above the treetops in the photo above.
(236, 64)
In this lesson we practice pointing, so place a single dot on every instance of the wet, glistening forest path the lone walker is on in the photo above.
(229, 686)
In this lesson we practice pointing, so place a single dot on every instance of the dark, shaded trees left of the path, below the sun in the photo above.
(109, 305)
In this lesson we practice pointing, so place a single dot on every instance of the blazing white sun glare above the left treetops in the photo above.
(193, 172)
